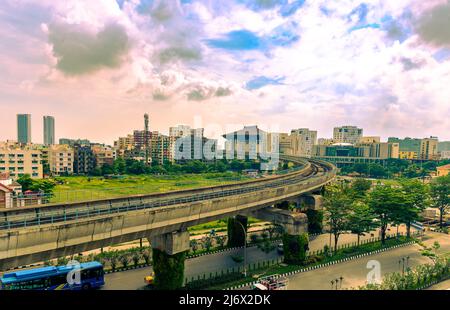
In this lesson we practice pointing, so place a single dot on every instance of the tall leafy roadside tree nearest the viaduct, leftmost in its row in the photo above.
(337, 205)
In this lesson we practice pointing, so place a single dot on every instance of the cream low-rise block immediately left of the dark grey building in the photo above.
(61, 159)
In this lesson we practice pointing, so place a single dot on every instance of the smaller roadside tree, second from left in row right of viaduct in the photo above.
(361, 219)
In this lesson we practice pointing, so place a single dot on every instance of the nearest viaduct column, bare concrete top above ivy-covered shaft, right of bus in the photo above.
(169, 252)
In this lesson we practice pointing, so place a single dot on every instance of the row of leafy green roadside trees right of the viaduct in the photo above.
(360, 208)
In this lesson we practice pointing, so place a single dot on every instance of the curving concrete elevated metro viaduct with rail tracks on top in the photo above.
(39, 233)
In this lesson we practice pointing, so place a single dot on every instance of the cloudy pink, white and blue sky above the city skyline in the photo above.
(98, 66)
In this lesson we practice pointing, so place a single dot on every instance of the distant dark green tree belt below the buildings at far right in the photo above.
(393, 168)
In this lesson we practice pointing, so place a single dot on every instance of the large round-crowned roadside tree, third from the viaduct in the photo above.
(384, 202)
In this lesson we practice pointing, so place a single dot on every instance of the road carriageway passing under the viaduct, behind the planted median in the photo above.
(133, 279)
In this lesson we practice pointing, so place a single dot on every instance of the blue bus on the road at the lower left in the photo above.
(55, 278)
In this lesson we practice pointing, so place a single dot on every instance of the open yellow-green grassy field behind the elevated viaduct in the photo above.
(78, 188)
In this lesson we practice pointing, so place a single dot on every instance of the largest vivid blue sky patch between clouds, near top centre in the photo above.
(237, 40)
